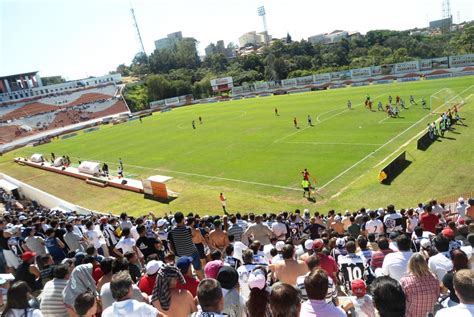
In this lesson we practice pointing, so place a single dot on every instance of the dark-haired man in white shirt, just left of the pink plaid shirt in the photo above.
(395, 264)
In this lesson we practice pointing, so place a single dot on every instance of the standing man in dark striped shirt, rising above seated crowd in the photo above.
(180, 238)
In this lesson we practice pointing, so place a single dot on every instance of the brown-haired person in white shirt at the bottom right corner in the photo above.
(464, 288)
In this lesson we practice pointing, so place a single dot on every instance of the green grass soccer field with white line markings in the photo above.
(255, 157)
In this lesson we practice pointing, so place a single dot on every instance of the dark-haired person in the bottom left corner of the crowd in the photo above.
(18, 302)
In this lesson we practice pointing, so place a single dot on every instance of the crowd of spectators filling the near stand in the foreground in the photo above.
(383, 262)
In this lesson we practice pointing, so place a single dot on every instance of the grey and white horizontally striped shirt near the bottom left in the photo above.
(52, 303)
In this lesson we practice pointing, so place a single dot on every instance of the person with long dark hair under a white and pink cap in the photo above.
(258, 300)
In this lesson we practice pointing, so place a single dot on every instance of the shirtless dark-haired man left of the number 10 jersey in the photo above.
(289, 269)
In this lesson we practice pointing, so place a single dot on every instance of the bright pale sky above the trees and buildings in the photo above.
(80, 38)
